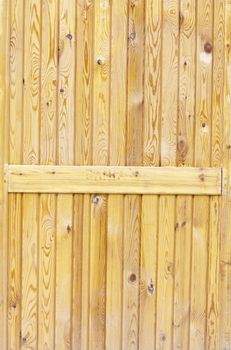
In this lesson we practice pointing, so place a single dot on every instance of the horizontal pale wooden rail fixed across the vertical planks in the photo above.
(113, 179)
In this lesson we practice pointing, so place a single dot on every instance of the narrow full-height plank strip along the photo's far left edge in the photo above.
(4, 94)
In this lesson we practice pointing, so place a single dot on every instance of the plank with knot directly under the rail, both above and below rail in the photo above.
(100, 154)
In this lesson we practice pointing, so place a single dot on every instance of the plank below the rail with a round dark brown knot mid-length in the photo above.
(131, 251)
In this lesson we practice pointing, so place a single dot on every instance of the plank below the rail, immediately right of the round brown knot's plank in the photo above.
(148, 266)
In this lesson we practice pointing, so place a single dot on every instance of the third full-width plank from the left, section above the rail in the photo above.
(49, 81)
